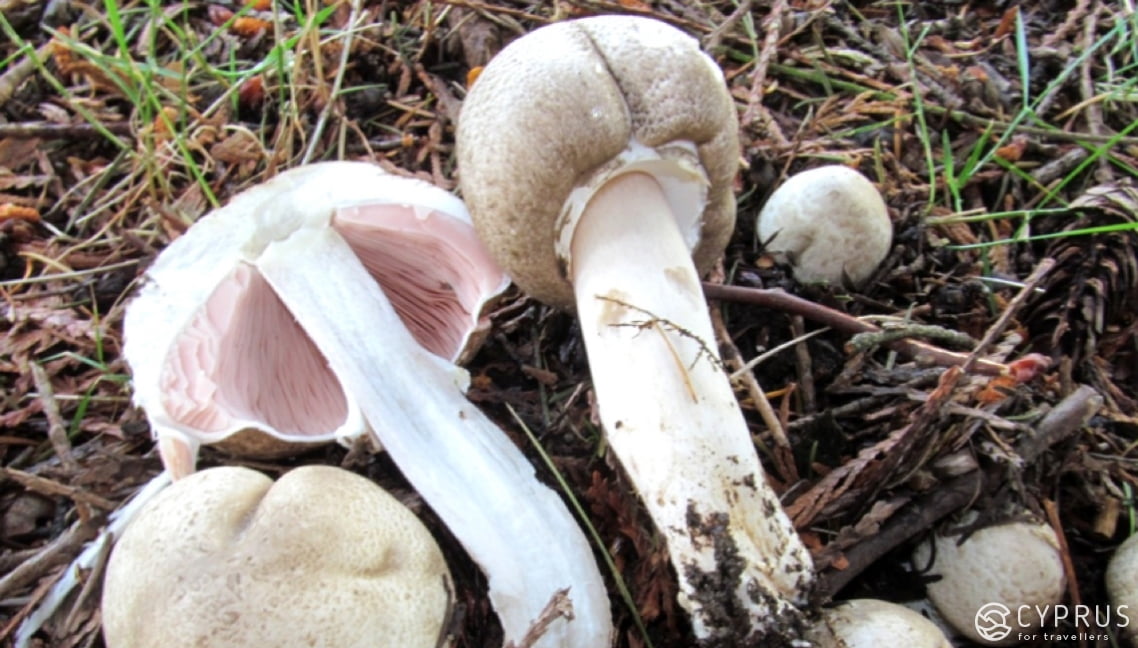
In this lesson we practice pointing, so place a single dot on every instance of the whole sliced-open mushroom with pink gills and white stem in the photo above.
(267, 315)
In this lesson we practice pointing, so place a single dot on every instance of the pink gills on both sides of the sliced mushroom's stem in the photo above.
(244, 363)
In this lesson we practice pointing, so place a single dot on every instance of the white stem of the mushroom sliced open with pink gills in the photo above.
(481, 486)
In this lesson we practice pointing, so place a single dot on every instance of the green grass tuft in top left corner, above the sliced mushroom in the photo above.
(156, 62)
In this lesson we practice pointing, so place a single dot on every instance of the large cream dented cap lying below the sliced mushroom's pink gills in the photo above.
(324, 557)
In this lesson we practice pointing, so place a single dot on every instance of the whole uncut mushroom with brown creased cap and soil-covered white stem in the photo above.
(614, 200)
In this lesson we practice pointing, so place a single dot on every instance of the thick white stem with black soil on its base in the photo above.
(671, 416)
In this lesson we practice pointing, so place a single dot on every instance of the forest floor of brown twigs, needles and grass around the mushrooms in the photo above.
(1001, 136)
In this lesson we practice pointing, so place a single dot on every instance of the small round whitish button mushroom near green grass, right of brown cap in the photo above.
(830, 223)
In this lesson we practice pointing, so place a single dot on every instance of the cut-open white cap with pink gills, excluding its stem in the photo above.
(218, 359)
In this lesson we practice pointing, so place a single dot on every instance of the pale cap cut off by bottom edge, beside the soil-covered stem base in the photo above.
(872, 624)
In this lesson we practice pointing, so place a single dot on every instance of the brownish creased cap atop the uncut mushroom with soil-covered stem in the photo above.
(572, 104)
